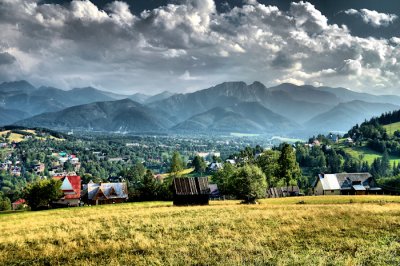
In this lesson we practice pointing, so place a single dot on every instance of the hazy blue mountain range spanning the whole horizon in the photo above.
(285, 109)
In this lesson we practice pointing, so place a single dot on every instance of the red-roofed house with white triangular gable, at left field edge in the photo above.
(71, 186)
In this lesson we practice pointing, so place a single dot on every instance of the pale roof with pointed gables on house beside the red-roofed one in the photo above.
(104, 191)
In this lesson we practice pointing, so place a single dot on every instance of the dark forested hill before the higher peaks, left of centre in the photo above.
(113, 116)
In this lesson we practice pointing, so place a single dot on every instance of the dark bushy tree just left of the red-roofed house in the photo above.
(41, 193)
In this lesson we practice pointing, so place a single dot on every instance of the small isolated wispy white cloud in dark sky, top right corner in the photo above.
(373, 17)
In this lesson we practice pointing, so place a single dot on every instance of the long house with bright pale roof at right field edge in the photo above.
(345, 184)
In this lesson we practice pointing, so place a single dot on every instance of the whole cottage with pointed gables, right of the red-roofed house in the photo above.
(105, 193)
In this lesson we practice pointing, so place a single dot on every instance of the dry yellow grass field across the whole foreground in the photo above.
(334, 230)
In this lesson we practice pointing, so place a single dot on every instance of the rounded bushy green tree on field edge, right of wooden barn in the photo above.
(249, 183)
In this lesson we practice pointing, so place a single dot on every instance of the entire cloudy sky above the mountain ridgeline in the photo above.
(185, 45)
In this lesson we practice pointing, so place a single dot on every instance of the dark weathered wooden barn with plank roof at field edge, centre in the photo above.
(191, 191)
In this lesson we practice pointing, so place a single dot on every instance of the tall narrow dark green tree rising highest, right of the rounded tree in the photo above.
(288, 167)
